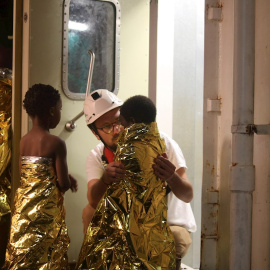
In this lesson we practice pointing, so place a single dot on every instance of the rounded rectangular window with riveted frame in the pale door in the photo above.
(90, 25)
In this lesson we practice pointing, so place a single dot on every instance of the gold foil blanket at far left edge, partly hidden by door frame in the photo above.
(5, 142)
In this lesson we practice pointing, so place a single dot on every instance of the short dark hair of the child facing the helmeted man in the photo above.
(140, 108)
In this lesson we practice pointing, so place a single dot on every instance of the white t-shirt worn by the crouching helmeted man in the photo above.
(179, 212)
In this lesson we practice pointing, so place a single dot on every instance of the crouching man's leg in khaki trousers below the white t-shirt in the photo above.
(183, 241)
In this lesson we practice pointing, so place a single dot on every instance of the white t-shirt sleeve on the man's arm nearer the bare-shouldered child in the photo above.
(94, 165)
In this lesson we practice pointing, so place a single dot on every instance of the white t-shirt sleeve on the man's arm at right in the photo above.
(174, 152)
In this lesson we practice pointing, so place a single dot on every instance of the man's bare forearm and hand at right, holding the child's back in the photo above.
(176, 179)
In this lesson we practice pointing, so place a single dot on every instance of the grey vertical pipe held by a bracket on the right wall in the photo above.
(242, 169)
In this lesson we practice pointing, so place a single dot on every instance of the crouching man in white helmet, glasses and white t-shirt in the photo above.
(102, 112)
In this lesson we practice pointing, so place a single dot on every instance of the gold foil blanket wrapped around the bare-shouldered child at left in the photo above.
(38, 237)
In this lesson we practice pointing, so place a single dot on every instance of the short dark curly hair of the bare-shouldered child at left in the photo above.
(39, 99)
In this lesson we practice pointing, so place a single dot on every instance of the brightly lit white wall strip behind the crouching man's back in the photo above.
(180, 65)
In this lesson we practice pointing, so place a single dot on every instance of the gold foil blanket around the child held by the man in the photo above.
(128, 229)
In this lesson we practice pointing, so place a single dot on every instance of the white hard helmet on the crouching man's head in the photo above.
(98, 103)
